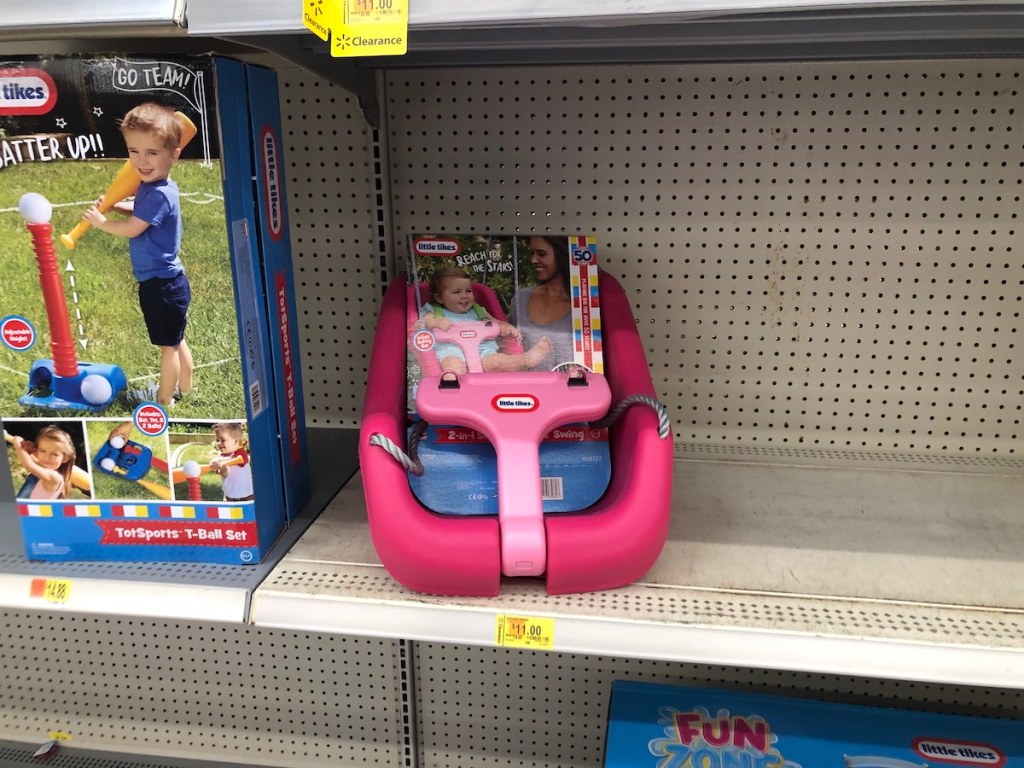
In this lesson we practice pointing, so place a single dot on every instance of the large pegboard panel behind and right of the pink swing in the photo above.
(821, 254)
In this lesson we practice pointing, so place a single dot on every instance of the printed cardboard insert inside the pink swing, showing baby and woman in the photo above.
(500, 304)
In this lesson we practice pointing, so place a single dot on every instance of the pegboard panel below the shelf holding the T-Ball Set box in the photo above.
(230, 693)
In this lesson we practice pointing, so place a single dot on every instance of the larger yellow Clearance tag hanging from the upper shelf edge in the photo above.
(371, 28)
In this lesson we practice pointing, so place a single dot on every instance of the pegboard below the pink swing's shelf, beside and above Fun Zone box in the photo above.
(491, 708)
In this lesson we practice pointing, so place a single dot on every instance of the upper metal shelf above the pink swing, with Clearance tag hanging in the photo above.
(570, 32)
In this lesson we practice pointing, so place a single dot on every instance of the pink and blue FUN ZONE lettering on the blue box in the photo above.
(697, 739)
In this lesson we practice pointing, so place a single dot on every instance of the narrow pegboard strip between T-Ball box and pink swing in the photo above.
(334, 243)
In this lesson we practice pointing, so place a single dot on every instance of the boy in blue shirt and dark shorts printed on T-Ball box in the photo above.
(153, 136)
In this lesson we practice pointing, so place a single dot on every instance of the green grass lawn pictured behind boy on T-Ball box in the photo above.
(103, 306)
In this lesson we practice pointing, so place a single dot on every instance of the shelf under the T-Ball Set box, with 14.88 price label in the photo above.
(189, 591)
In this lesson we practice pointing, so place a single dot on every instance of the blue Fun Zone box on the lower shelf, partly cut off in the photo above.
(661, 727)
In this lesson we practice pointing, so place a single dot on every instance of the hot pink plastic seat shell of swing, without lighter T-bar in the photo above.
(609, 545)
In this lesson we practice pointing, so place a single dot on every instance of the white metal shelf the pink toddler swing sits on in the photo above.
(839, 568)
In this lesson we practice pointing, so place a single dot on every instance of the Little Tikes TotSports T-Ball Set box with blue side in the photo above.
(103, 472)
